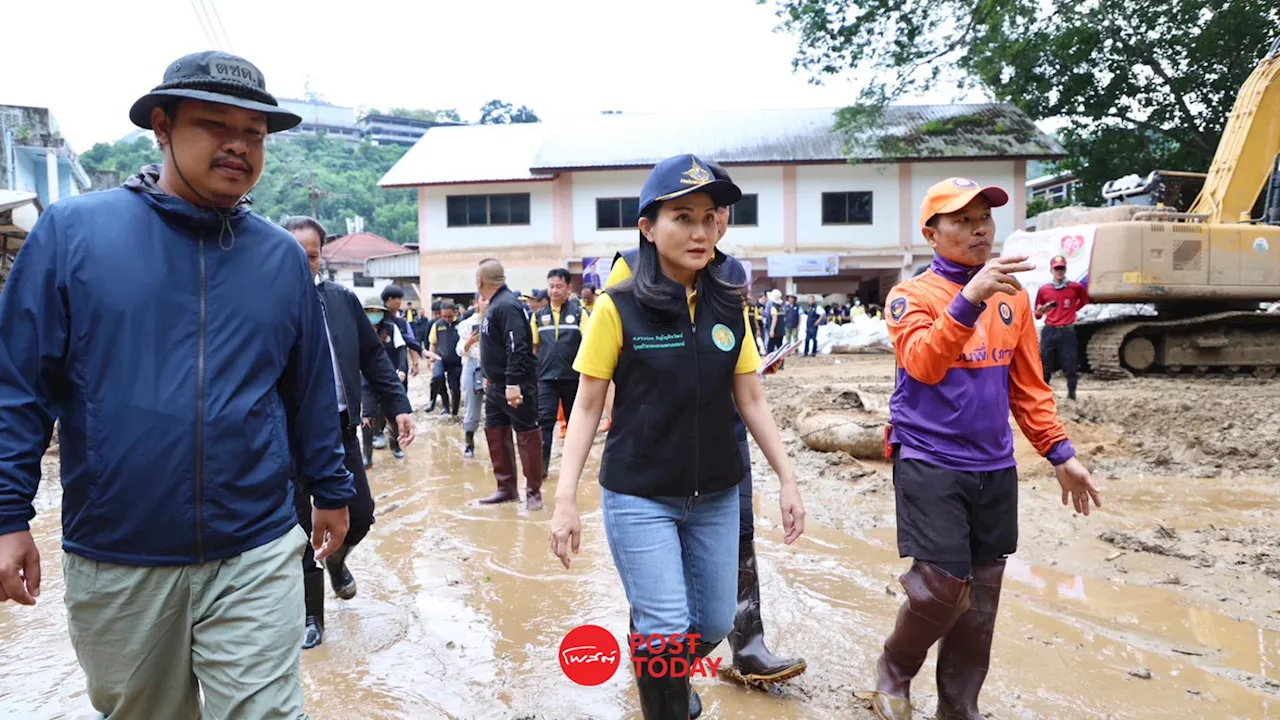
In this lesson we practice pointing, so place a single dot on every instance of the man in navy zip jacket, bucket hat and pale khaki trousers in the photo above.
(179, 341)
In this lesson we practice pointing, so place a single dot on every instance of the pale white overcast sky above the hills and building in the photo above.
(557, 57)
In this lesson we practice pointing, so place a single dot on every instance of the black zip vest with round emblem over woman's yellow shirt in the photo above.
(674, 414)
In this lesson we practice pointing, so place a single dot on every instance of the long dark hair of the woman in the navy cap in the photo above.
(666, 299)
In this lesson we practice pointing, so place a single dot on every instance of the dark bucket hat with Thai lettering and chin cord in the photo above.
(214, 78)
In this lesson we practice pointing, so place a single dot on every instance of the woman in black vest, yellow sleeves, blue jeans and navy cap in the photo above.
(675, 341)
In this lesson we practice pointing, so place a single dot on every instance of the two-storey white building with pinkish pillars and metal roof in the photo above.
(556, 194)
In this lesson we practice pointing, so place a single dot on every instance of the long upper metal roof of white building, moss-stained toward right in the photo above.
(796, 135)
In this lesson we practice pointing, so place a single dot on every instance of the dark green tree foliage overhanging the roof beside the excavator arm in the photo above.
(1141, 85)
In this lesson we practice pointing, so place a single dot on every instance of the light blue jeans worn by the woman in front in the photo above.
(678, 558)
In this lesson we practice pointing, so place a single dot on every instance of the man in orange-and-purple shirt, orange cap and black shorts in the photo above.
(967, 353)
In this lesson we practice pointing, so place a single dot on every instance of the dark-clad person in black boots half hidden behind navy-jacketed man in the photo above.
(358, 357)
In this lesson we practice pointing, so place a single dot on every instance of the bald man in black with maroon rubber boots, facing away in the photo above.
(511, 393)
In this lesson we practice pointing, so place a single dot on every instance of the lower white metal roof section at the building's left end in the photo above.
(470, 154)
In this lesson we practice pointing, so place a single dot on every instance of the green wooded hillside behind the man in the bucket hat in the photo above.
(348, 172)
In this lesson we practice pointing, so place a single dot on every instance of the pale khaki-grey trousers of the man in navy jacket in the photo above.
(149, 637)
